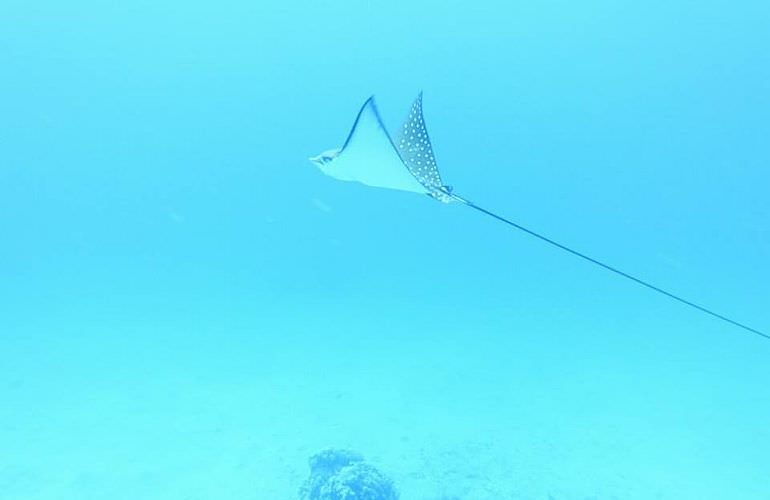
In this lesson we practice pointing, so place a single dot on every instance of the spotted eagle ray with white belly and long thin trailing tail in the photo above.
(371, 157)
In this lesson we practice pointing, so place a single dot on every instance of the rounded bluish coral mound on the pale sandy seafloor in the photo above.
(343, 475)
